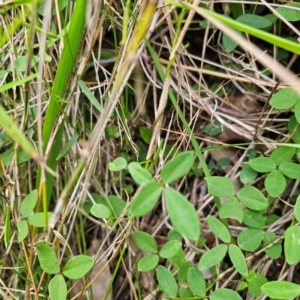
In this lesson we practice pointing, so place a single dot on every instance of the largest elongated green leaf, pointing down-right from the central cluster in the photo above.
(182, 214)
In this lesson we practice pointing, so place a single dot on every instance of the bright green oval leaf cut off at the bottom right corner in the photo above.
(281, 289)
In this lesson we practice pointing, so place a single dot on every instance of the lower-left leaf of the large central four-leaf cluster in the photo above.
(145, 199)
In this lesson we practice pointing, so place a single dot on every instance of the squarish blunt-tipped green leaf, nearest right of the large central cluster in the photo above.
(219, 186)
